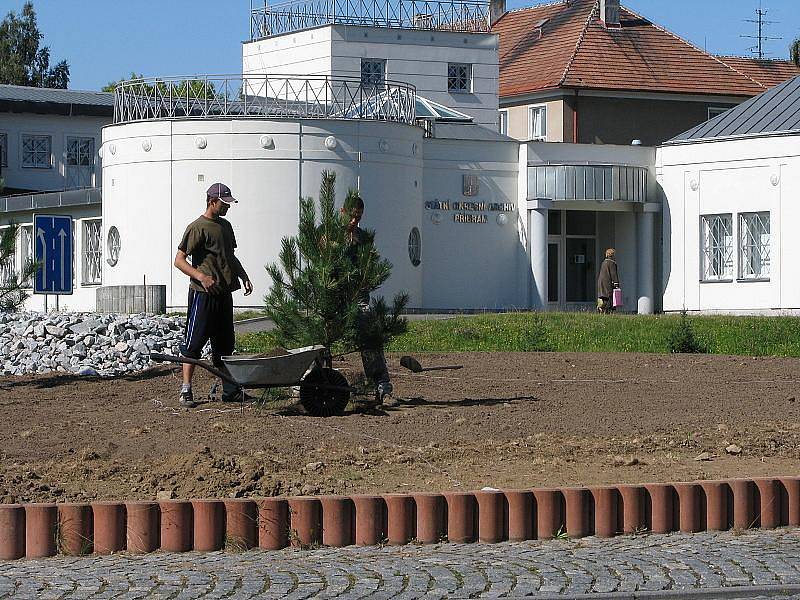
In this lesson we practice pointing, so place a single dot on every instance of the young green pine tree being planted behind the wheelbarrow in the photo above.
(320, 279)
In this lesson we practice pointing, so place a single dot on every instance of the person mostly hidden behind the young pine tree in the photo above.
(372, 356)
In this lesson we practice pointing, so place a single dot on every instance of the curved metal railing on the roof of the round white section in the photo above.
(262, 96)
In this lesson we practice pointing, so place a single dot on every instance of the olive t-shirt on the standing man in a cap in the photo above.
(210, 243)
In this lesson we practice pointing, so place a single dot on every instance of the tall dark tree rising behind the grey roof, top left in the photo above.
(22, 61)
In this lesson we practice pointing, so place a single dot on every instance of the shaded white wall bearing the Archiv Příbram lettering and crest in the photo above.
(473, 265)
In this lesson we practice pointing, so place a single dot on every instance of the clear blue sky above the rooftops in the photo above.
(105, 40)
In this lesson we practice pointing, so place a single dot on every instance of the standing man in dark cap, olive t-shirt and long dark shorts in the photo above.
(214, 274)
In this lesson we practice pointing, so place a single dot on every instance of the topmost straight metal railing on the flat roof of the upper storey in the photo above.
(441, 15)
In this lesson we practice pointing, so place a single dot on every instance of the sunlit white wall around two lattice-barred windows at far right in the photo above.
(732, 176)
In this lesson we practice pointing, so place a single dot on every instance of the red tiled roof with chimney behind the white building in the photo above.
(564, 45)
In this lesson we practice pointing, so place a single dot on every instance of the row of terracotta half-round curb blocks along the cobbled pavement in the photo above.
(488, 516)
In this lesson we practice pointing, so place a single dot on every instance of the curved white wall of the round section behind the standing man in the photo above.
(155, 175)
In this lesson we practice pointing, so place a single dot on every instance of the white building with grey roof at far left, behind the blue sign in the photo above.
(49, 165)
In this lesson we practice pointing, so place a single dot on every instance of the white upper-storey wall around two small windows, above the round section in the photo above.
(412, 56)
